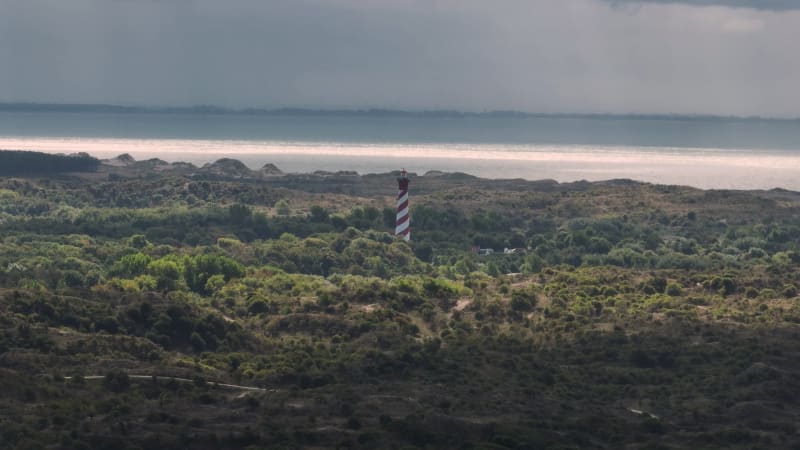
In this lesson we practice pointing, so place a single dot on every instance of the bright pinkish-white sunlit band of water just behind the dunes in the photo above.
(739, 168)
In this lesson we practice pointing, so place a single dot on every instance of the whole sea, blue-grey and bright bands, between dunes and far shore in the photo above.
(708, 153)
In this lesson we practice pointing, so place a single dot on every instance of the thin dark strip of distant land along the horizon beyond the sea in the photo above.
(359, 112)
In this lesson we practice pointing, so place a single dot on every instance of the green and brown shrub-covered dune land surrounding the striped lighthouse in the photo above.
(135, 309)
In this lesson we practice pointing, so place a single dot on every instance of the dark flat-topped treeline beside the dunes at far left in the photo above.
(14, 162)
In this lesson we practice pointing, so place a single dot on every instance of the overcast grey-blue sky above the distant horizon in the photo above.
(727, 57)
